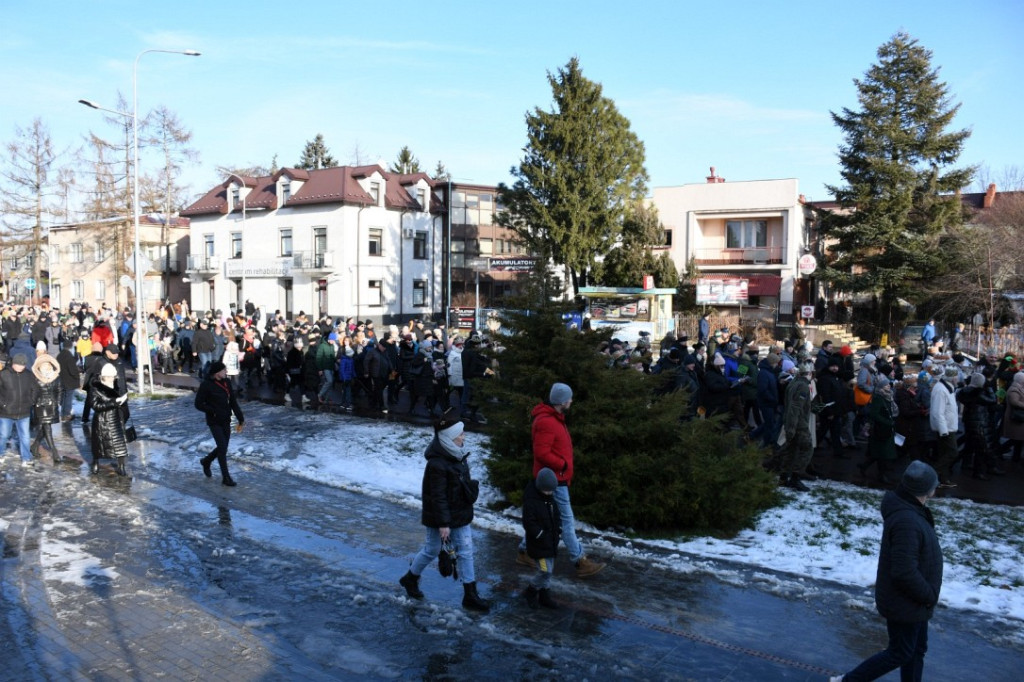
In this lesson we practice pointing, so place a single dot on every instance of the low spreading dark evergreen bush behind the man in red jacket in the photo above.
(638, 464)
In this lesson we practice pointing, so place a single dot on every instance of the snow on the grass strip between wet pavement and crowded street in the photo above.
(830, 534)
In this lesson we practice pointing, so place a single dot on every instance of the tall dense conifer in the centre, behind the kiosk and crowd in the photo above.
(583, 168)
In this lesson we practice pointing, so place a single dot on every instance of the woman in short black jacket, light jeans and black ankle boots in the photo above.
(449, 495)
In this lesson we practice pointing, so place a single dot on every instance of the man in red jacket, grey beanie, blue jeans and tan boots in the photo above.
(553, 449)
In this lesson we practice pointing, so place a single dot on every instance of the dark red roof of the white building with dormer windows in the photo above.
(326, 186)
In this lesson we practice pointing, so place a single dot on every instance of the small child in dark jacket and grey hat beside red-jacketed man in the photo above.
(542, 525)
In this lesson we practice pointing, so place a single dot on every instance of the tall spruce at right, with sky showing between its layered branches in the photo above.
(901, 187)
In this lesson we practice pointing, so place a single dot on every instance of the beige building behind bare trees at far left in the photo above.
(84, 265)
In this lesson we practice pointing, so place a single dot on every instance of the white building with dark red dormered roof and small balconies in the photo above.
(345, 241)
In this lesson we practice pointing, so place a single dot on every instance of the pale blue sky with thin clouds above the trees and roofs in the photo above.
(745, 87)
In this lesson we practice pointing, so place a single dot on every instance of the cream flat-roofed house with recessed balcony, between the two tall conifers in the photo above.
(755, 231)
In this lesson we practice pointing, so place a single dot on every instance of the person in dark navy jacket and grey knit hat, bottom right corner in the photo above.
(909, 580)
